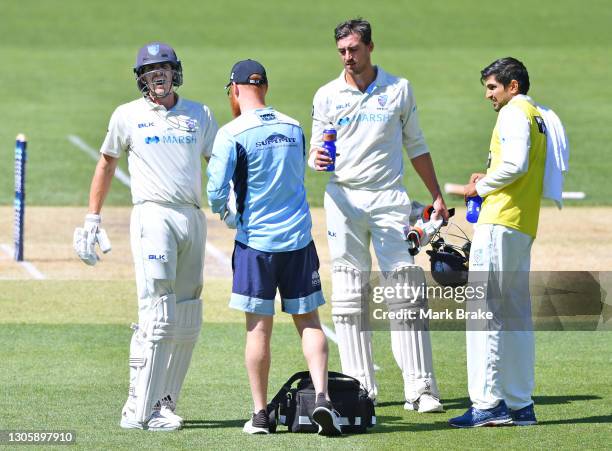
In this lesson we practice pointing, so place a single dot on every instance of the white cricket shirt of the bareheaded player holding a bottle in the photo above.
(372, 127)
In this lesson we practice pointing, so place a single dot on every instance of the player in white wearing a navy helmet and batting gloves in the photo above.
(164, 137)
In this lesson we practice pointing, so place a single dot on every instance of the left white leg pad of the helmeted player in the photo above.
(149, 356)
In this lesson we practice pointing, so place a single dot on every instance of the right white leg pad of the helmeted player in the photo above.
(188, 326)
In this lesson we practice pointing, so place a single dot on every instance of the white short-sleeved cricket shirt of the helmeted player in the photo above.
(164, 148)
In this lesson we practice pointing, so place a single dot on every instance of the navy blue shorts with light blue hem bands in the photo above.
(258, 274)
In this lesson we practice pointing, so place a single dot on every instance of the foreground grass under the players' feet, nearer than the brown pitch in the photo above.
(64, 366)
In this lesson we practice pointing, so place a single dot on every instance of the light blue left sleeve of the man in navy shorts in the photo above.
(220, 171)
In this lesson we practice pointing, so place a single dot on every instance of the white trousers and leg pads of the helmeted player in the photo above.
(168, 250)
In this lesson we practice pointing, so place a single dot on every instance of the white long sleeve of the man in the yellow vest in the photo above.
(513, 129)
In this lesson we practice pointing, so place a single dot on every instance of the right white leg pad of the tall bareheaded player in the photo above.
(410, 339)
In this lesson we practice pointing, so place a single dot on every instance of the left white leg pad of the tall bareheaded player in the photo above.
(354, 343)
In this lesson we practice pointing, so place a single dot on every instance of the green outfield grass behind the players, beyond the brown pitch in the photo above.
(69, 65)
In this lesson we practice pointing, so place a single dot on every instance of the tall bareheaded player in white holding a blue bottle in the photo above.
(375, 116)
